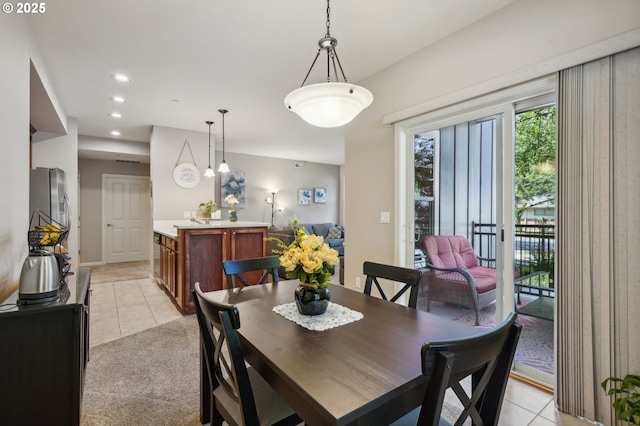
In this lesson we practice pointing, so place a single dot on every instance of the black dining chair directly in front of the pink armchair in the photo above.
(410, 278)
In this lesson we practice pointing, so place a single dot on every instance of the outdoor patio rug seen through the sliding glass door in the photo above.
(535, 347)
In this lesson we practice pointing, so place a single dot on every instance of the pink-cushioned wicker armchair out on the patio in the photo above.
(454, 275)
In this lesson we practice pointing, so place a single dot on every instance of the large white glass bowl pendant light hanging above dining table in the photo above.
(330, 104)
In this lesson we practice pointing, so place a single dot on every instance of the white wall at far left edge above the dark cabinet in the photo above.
(14, 161)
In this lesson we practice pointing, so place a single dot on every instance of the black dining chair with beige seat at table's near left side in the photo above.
(239, 395)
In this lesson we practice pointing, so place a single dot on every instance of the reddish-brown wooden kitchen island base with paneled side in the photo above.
(200, 253)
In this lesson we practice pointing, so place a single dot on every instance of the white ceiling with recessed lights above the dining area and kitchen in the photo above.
(187, 59)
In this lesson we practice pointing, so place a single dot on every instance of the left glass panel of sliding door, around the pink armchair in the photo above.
(455, 182)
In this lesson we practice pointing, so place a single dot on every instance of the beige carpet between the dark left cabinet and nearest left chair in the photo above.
(147, 378)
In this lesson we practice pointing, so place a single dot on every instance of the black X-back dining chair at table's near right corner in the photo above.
(486, 357)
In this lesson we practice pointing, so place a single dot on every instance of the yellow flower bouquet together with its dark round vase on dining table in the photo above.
(308, 258)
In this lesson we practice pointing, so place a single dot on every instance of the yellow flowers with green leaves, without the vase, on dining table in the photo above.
(307, 258)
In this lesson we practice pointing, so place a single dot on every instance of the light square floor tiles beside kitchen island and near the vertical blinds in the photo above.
(122, 308)
